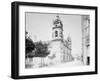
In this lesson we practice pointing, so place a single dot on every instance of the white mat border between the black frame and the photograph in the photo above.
(38, 71)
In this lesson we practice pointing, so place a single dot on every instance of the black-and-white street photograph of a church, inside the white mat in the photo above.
(56, 40)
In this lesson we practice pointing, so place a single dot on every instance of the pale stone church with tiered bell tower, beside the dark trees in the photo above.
(60, 48)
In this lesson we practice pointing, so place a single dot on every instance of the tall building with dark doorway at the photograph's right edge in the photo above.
(86, 39)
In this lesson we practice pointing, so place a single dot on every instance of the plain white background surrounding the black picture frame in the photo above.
(5, 40)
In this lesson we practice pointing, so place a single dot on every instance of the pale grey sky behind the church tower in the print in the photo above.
(39, 26)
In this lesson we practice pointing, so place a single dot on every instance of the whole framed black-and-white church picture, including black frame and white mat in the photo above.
(53, 40)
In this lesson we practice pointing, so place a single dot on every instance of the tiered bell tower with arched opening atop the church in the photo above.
(57, 30)
